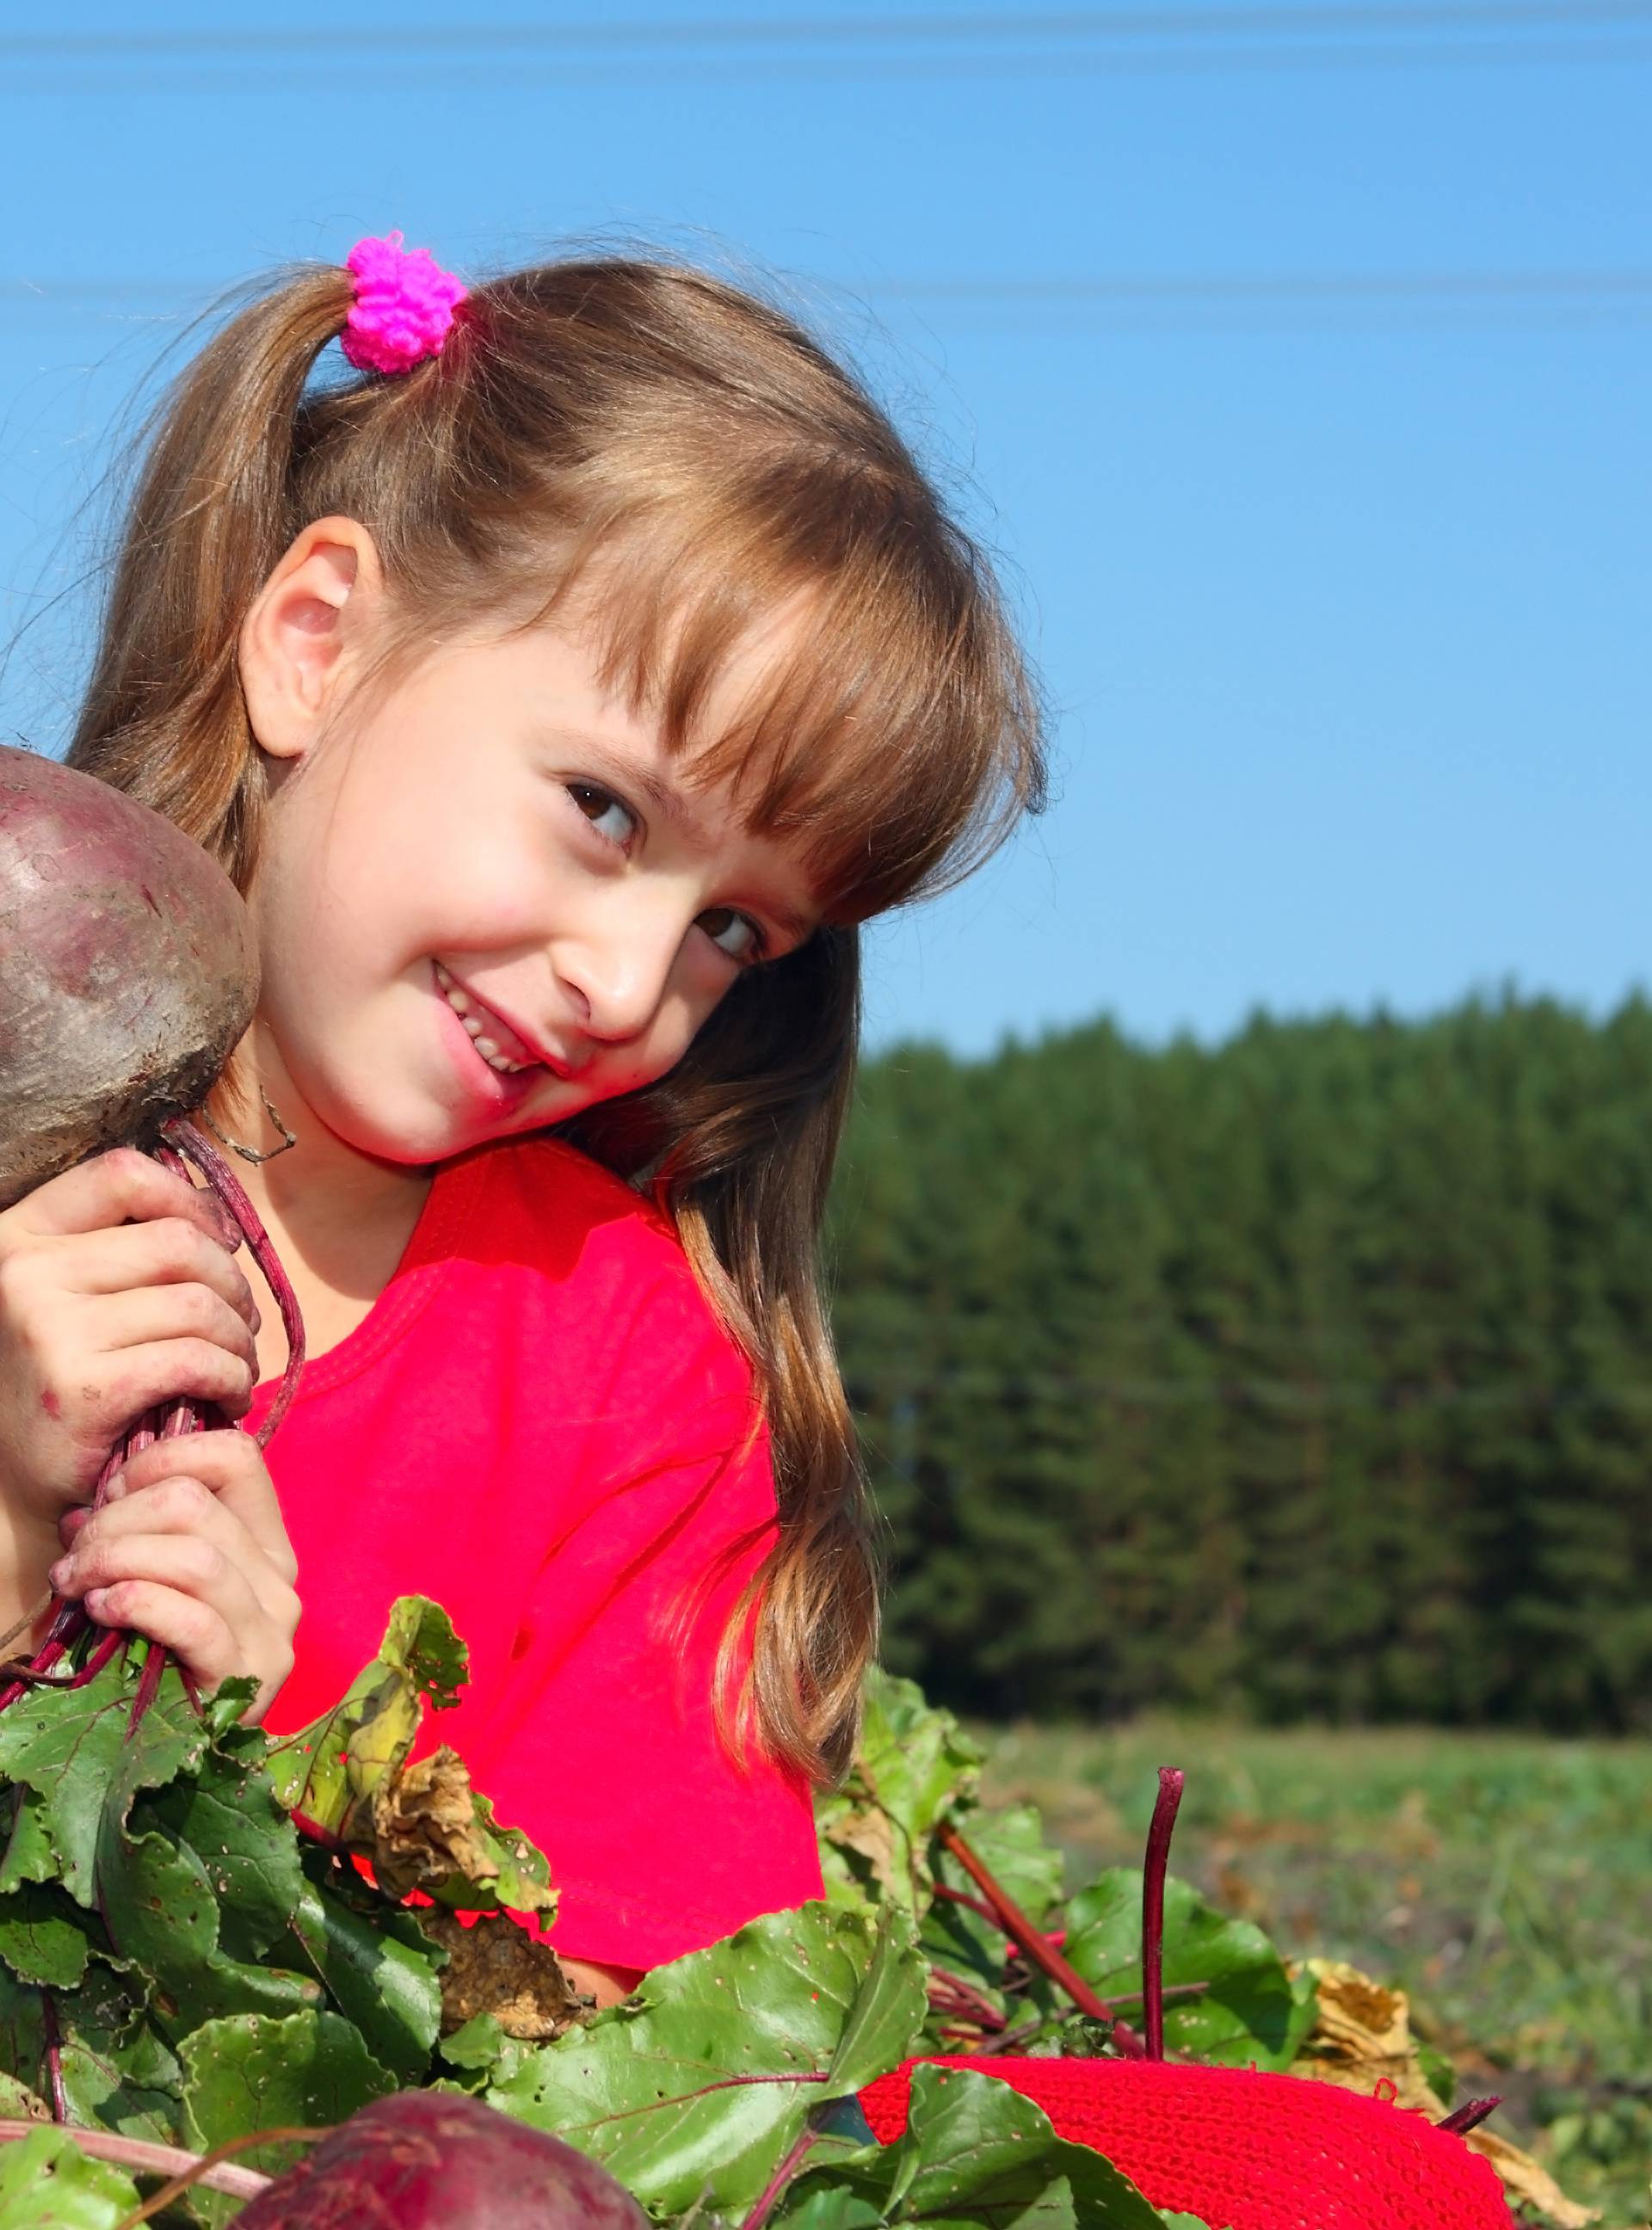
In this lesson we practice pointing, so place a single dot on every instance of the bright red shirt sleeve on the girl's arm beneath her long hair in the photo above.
(603, 1741)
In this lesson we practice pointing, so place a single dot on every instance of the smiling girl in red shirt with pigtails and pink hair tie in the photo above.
(561, 683)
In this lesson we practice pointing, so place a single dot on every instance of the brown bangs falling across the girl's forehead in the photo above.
(868, 737)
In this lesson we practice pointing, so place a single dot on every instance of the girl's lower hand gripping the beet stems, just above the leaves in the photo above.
(191, 1551)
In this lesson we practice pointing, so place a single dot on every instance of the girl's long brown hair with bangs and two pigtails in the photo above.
(697, 460)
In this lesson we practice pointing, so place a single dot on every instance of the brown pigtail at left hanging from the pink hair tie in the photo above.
(211, 516)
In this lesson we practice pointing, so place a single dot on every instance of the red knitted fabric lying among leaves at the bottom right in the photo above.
(1243, 2149)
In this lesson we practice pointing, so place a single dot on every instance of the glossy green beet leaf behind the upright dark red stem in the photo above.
(1247, 2010)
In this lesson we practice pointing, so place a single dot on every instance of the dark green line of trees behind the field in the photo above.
(1299, 1377)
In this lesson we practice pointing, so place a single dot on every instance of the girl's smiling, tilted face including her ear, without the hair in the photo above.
(487, 893)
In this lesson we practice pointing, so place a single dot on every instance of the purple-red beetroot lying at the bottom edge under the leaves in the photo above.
(440, 2162)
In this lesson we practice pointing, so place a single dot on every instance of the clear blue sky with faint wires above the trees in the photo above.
(1339, 594)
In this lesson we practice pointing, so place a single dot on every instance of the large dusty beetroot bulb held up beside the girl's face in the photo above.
(128, 971)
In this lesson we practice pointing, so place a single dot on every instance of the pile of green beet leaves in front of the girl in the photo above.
(191, 1955)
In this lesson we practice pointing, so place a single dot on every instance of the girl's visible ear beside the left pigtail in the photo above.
(307, 630)
